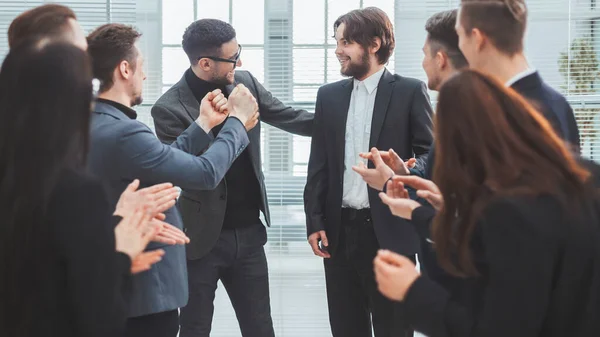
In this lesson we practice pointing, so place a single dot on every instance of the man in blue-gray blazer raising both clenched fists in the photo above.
(122, 149)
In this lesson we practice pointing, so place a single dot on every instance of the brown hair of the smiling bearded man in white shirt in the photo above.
(364, 25)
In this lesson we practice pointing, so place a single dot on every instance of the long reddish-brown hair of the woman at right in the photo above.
(492, 143)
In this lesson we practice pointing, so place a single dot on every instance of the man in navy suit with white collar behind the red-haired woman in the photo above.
(491, 36)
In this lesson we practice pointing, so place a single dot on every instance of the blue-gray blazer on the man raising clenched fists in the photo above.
(122, 149)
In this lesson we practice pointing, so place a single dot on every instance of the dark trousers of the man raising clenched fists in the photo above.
(164, 324)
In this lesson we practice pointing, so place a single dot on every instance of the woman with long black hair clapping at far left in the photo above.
(62, 260)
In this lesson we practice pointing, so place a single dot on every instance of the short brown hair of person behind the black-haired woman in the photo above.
(41, 21)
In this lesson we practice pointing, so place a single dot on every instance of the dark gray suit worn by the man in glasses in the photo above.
(234, 256)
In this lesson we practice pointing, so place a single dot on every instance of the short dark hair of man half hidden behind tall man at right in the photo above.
(441, 33)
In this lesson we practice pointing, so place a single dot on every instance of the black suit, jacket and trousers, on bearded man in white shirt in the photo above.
(402, 121)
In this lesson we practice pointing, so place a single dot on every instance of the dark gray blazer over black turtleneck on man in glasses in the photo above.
(203, 211)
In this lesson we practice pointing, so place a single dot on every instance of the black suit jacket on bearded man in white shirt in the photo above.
(401, 120)
